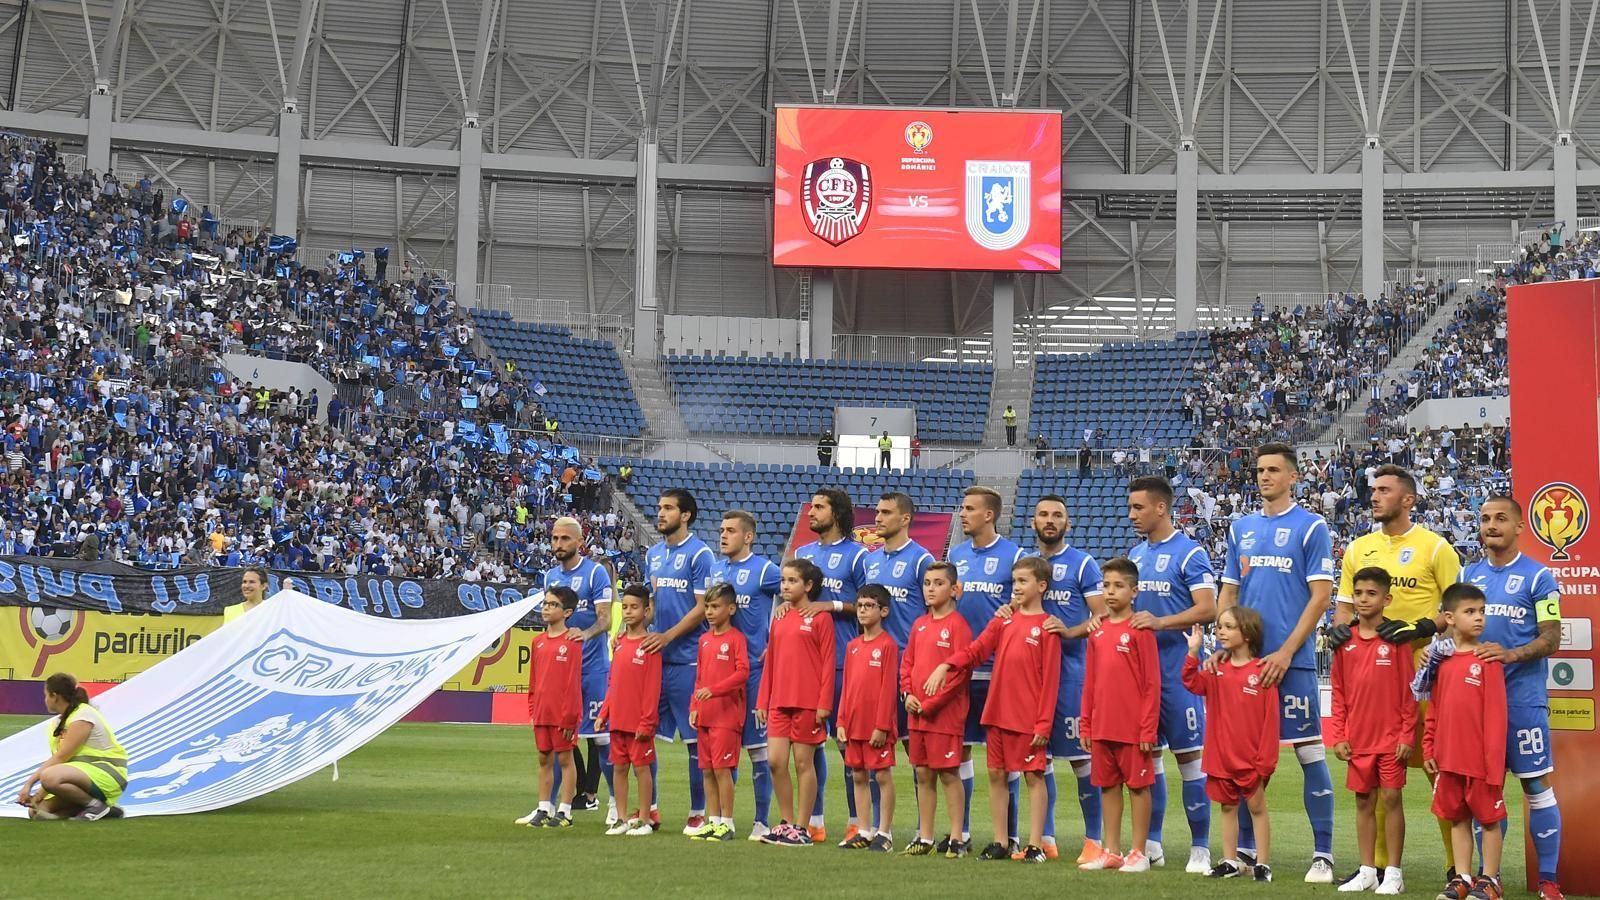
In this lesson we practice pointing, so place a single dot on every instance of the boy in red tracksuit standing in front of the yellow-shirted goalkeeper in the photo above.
(1374, 721)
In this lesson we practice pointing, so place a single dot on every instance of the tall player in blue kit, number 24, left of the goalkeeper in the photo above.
(1281, 565)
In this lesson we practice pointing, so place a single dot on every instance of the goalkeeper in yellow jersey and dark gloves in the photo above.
(1420, 566)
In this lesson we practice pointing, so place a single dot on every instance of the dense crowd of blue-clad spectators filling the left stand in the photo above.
(127, 440)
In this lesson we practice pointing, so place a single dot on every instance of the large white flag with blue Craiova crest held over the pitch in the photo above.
(266, 701)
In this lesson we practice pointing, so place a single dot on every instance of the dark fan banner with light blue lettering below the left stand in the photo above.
(113, 587)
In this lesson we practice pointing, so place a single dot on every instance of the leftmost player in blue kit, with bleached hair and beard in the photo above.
(593, 621)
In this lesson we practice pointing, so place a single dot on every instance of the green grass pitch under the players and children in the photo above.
(426, 811)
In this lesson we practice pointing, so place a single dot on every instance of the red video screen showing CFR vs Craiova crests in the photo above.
(876, 188)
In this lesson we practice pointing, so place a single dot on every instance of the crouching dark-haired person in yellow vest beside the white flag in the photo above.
(87, 768)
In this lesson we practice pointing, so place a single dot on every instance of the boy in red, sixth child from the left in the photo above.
(937, 721)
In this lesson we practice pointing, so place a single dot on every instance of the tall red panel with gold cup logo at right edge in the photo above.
(1556, 436)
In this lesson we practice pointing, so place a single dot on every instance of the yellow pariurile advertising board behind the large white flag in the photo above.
(110, 648)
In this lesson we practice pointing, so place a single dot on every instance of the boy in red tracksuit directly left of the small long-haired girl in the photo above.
(1122, 705)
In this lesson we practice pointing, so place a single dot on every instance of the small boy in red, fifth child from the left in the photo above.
(868, 720)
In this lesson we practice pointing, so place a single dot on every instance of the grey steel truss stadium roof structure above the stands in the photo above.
(1215, 150)
